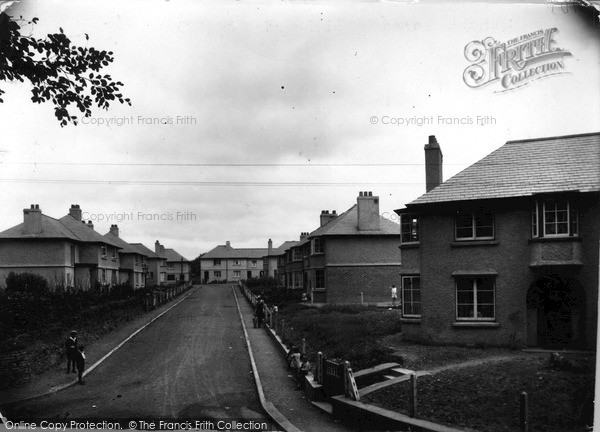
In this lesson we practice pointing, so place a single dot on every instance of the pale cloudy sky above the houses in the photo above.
(275, 111)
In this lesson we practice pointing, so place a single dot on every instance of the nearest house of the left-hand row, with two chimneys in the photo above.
(66, 251)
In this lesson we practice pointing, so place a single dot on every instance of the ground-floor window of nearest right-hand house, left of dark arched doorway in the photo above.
(475, 299)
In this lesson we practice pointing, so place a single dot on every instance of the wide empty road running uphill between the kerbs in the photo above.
(191, 363)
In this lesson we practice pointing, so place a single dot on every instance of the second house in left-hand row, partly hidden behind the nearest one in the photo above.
(133, 265)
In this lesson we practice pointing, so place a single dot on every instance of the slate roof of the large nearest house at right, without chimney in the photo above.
(524, 168)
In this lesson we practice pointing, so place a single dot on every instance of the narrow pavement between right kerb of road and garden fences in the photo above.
(278, 385)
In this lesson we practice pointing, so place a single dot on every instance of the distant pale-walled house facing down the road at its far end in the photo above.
(225, 263)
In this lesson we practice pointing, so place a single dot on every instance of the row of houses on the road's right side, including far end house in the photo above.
(504, 253)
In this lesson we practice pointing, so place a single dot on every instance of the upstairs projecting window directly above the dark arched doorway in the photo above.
(554, 218)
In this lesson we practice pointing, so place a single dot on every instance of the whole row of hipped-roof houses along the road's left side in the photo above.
(69, 253)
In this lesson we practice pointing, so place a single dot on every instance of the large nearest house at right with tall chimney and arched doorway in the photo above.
(506, 252)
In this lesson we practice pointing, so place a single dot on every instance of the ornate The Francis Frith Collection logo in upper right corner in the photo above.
(515, 63)
